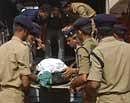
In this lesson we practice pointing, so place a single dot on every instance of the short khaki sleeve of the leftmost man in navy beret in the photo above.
(23, 61)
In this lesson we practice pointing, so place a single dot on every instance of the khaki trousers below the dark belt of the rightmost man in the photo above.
(114, 98)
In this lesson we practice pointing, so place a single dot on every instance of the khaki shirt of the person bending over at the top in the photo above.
(83, 10)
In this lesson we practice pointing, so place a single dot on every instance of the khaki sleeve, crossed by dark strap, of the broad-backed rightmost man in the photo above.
(96, 70)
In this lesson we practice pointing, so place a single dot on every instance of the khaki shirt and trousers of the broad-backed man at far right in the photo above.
(114, 77)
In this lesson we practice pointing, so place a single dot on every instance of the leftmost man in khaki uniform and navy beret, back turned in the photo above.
(14, 64)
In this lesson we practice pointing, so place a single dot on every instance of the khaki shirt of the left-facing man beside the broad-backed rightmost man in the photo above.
(83, 56)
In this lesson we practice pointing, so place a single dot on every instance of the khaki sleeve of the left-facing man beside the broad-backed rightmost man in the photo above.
(84, 61)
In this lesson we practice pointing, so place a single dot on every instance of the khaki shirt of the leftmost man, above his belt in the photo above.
(14, 61)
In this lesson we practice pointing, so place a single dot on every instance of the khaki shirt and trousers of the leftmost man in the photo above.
(14, 62)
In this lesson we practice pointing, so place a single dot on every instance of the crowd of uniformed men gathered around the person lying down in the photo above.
(100, 73)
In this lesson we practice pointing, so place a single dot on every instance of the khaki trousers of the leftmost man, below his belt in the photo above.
(11, 95)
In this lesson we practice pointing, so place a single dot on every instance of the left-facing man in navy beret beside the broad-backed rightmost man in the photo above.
(84, 27)
